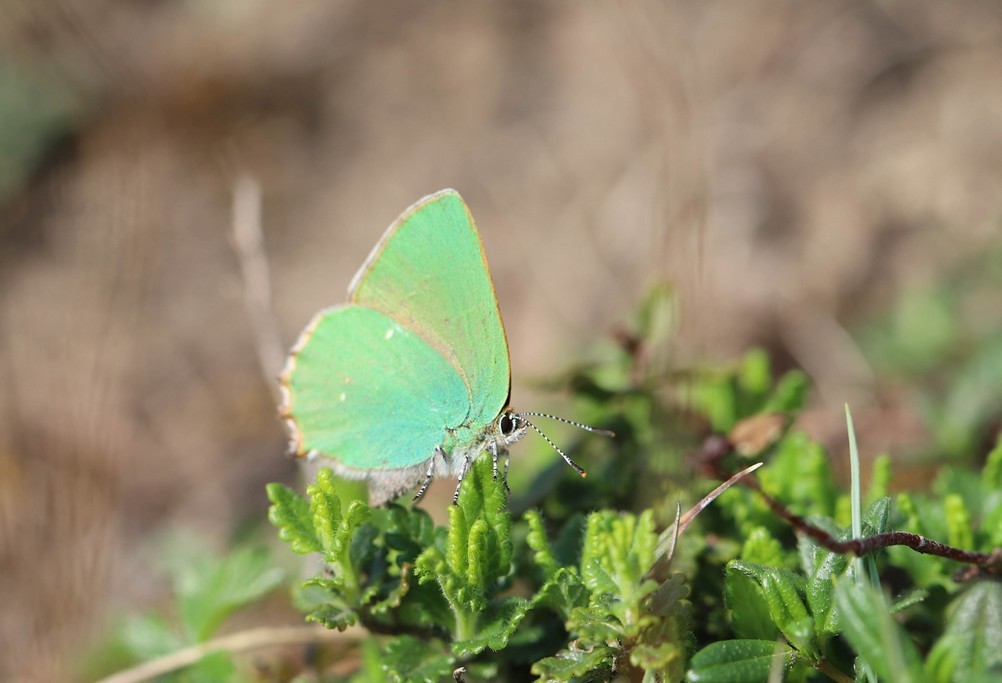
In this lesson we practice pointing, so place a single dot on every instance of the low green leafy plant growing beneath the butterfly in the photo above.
(589, 580)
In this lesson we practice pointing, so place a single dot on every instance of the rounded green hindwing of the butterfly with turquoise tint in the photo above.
(365, 390)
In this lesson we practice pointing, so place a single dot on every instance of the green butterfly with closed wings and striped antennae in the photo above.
(411, 379)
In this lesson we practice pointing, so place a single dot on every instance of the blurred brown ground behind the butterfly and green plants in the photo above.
(789, 167)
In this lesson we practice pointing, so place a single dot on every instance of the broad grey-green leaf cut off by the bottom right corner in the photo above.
(972, 641)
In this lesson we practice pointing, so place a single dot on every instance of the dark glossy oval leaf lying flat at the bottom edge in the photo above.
(739, 661)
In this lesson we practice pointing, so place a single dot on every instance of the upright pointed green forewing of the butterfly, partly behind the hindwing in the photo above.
(429, 274)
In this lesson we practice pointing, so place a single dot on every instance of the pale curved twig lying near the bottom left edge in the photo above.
(236, 642)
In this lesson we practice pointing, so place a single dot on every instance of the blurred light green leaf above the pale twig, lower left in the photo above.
(214, 589)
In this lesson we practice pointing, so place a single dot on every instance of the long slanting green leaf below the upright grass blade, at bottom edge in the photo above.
(872, 631)
